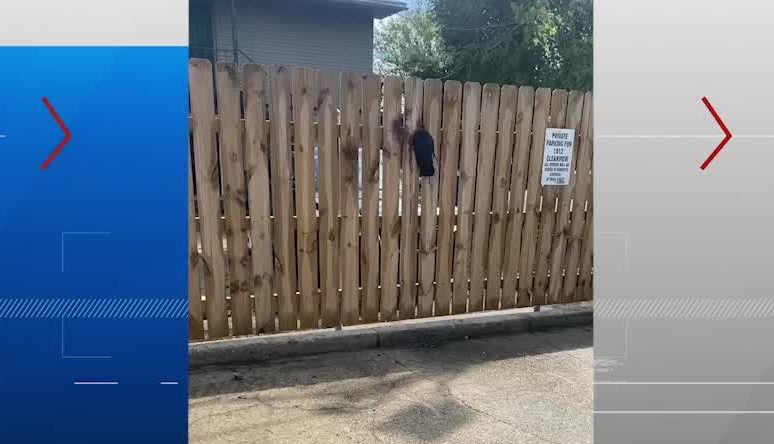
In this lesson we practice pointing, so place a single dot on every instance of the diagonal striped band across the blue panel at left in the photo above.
(93, 308)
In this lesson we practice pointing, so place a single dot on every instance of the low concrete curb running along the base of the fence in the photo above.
(416, 331)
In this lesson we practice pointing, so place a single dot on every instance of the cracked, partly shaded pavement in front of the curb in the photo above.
(532, 388)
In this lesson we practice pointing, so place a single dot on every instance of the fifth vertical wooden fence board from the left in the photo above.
(304, 93)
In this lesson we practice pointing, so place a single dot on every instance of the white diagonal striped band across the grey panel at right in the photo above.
(684, 308)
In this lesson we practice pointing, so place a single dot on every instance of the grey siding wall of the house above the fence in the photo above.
(326, 38)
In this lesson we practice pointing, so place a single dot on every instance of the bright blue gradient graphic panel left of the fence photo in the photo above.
(93, 301)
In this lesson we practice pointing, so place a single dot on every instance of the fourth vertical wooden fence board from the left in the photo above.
(282, 199)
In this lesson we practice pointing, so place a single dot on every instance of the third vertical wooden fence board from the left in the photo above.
(257, 166)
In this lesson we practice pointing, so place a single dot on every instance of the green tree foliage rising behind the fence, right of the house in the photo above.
(534, 42)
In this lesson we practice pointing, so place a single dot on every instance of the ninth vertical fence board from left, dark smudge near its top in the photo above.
(390, 229)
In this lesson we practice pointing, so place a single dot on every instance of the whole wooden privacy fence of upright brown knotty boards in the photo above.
(307, 210)
